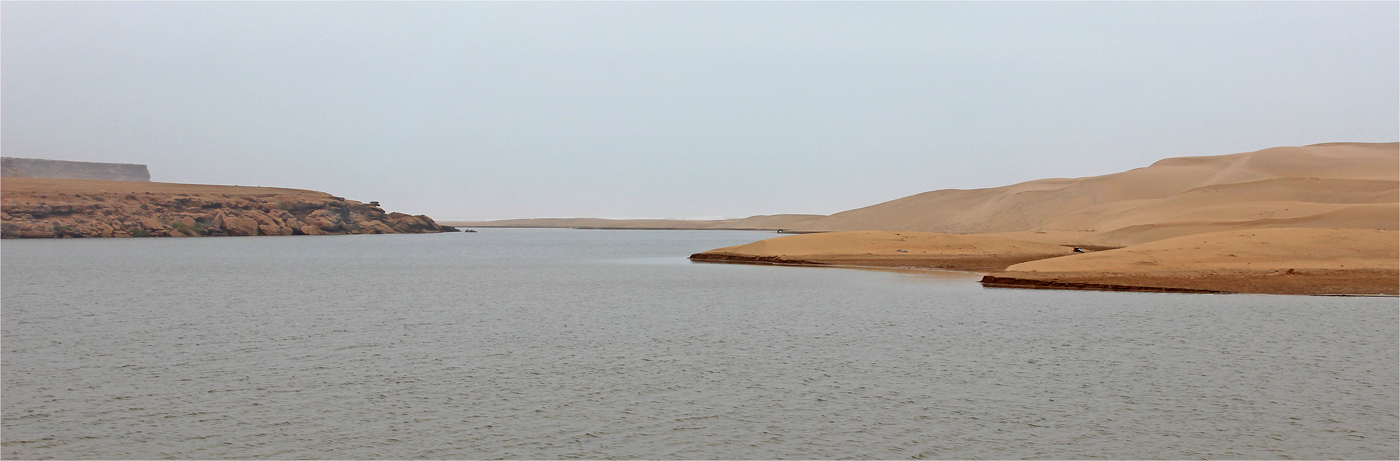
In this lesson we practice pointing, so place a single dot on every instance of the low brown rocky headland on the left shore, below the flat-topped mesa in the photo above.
(40, 208)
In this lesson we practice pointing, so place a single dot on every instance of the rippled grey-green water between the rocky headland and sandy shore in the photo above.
(570, 344)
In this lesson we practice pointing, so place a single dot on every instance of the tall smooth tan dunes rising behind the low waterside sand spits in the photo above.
(1283, 187)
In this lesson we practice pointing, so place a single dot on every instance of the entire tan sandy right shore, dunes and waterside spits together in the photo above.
(1319, 219)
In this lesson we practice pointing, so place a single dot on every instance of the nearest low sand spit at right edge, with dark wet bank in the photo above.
(1282, 261)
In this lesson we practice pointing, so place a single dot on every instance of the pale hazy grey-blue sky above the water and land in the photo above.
(681, 110)
